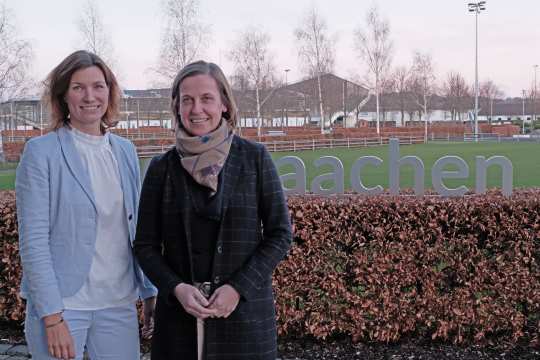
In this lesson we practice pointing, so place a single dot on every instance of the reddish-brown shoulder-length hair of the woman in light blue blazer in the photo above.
(57, 85)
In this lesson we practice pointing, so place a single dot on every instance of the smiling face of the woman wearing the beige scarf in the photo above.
(200, 105)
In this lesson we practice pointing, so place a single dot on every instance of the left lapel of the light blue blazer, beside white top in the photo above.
(74, 163)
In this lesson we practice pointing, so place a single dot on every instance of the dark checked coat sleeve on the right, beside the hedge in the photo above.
(276, 229)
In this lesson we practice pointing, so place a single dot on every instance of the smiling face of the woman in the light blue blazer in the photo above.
(87, 99)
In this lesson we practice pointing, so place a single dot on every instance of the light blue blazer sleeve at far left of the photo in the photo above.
(33, 203)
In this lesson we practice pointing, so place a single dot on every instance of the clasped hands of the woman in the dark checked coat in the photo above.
(221, 304)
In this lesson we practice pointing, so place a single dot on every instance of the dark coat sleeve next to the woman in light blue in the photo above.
(148, 241)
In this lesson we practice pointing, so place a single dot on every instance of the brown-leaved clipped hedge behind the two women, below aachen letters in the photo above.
(382, 268)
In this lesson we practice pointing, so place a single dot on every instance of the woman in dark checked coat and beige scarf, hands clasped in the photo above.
(213, 225)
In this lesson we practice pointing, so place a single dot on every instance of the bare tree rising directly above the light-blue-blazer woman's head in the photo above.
(94, 35)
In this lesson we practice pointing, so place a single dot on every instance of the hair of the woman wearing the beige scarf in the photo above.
(205, 68)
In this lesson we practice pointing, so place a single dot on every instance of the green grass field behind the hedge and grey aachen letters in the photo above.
(525, 158)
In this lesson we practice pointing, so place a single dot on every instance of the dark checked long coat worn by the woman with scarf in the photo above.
(254, 236)
